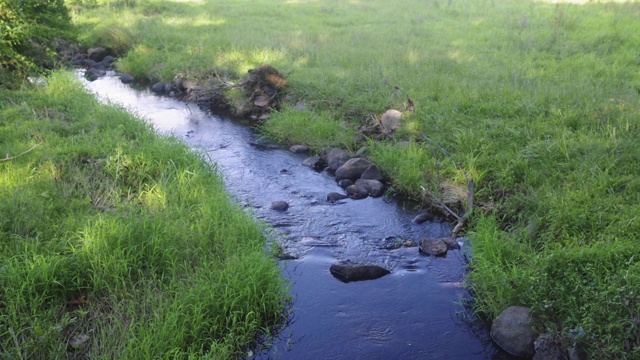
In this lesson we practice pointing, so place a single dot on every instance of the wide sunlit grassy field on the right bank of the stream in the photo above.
(536, 102)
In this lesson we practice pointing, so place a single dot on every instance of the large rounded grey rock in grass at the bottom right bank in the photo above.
(513, 333)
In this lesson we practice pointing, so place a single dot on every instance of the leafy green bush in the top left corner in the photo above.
(29, 31)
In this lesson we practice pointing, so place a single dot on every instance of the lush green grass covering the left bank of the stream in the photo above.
(119, 243)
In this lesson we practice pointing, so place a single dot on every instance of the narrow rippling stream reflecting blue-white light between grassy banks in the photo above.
(416, 312)
